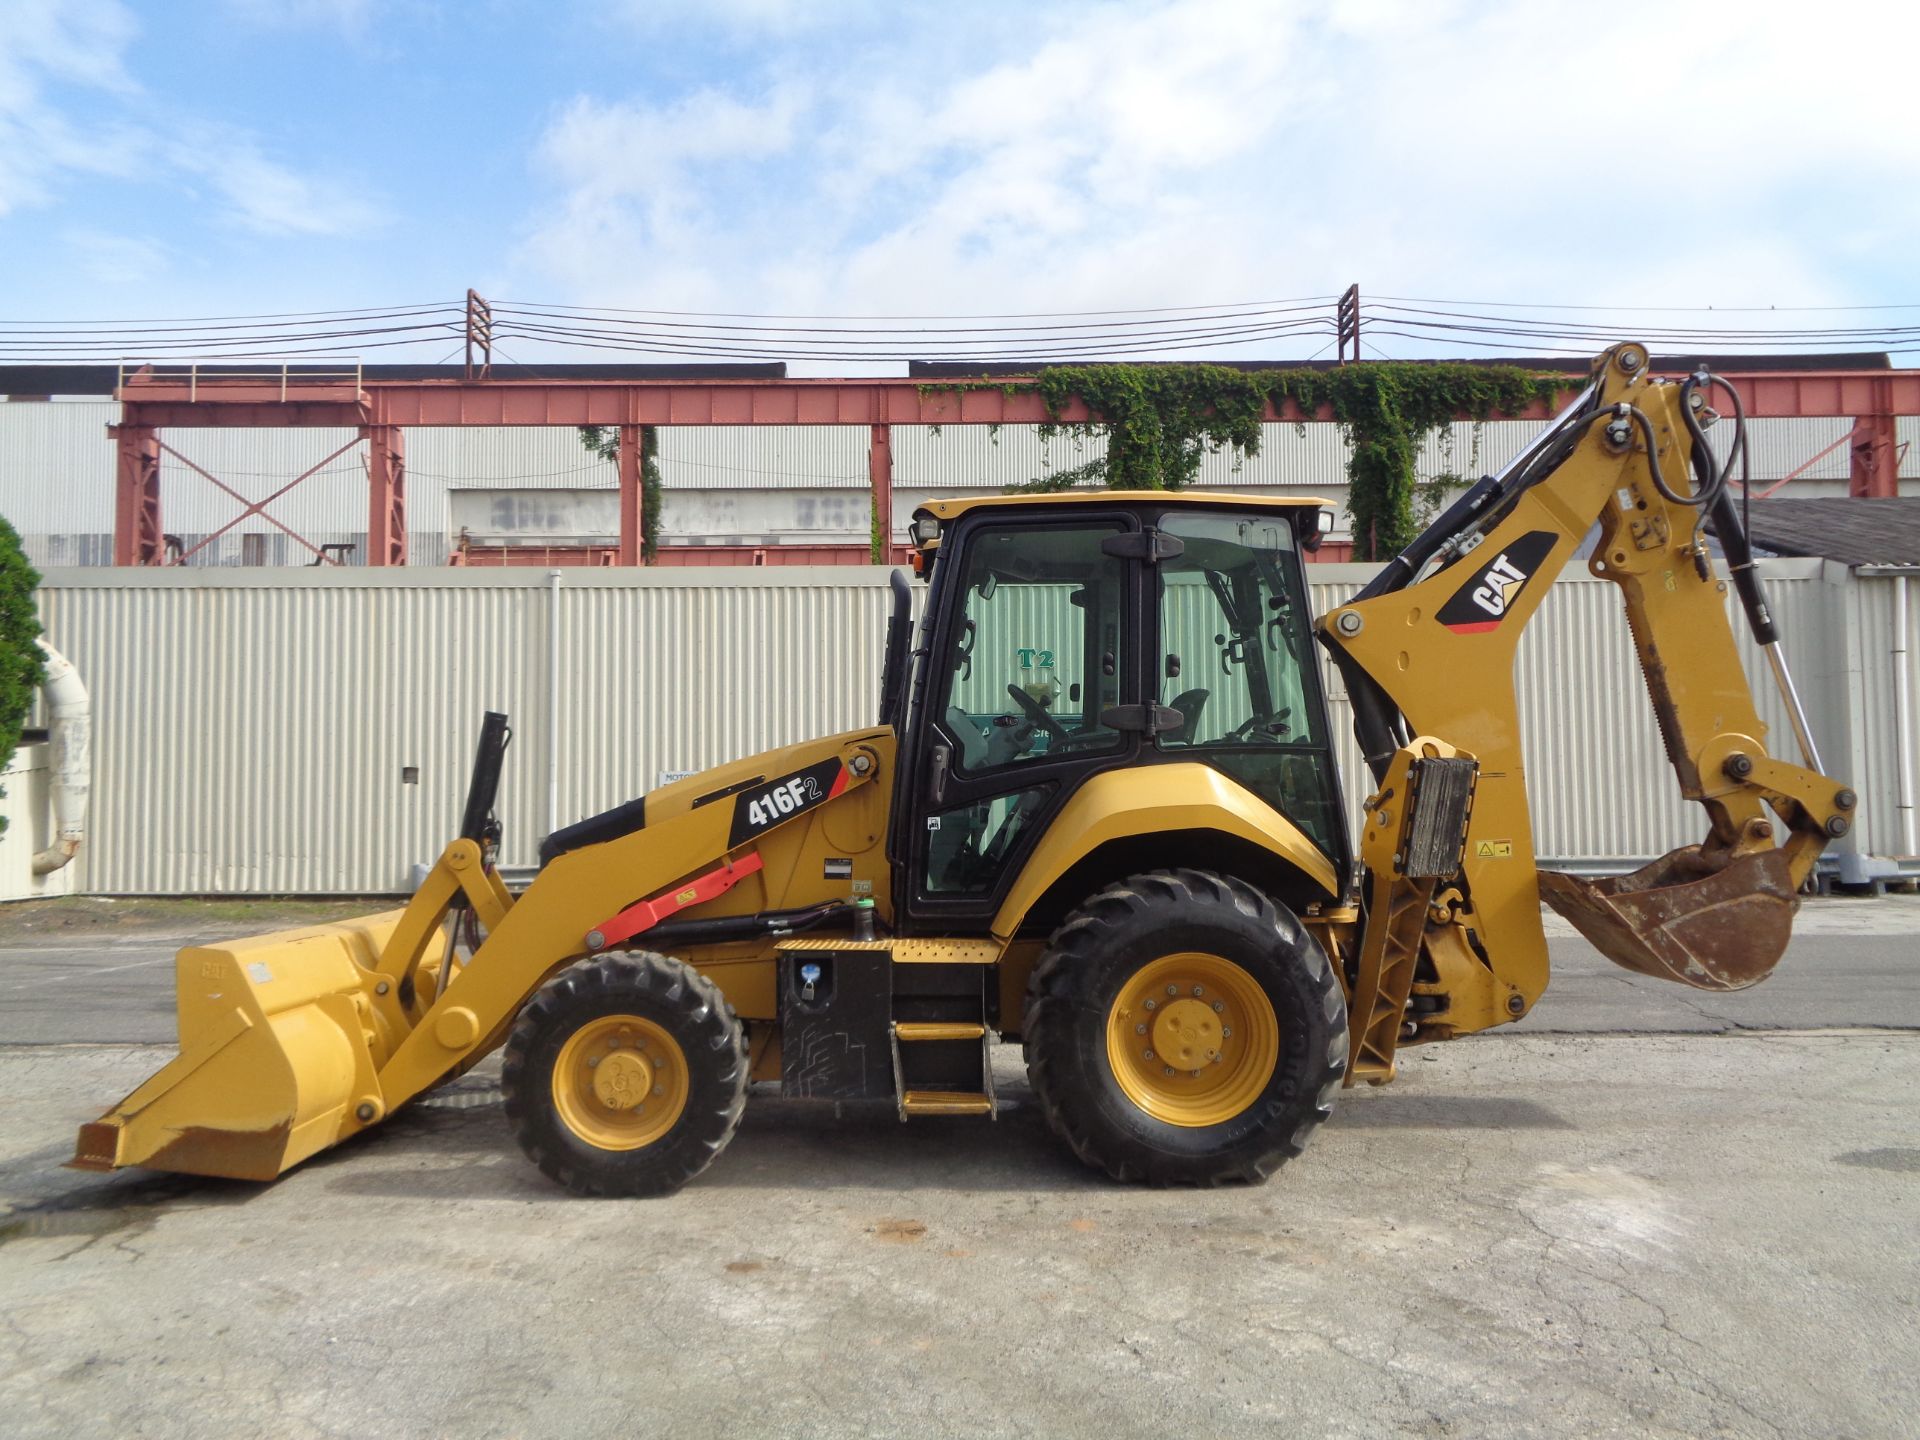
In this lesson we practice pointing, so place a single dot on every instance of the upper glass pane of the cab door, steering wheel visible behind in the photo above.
(1038, 650)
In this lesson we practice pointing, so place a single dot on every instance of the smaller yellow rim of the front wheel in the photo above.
(621, 1082)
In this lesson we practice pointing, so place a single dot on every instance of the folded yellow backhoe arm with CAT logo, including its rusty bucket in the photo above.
(1428, 650)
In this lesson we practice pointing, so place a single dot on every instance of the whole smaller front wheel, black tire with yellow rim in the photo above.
(625, 1076)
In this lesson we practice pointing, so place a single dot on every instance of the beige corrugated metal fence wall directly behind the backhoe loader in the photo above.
(252, 729)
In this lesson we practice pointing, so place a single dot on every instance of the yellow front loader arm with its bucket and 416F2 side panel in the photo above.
(297, 1042)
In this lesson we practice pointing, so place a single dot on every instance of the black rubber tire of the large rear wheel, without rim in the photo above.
(1065, 1030)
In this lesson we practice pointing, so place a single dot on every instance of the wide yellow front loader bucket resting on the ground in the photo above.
(277, 1053)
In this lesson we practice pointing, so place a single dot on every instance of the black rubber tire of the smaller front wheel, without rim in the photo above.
(677, 997)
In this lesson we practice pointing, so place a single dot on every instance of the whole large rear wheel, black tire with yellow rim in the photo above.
(1174, 959)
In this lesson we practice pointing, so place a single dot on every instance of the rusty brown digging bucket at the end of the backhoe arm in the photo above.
(1716, 926)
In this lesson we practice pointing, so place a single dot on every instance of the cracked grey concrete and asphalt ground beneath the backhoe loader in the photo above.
(1541, 1234)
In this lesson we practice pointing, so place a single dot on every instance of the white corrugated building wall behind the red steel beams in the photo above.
(57, 475)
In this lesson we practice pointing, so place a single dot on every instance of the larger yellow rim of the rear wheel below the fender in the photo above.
(1193, 1040)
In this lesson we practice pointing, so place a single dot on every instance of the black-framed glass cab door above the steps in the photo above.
(1030, 684)
